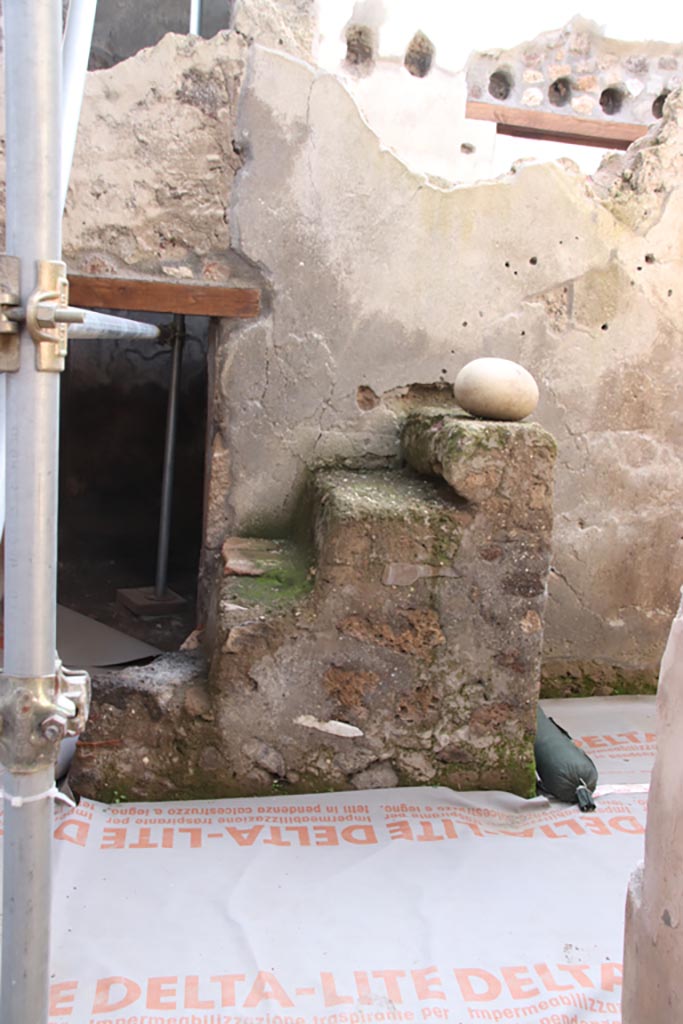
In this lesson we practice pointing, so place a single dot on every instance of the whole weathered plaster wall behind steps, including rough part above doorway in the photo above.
(375, 279)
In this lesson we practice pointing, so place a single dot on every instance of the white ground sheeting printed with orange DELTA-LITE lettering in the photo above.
(414, 905)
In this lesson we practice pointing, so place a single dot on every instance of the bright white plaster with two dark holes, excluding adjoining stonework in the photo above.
(423, 119)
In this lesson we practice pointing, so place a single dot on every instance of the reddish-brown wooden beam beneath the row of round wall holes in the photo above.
(557, 127)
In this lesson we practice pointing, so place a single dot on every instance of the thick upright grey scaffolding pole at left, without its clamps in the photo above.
(33, 76)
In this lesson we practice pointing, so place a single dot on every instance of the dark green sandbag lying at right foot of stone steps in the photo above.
(565, 771)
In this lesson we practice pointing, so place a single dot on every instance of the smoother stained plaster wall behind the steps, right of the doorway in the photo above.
(380, 281)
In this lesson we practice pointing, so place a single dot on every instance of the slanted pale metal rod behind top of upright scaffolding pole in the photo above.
(75, 55)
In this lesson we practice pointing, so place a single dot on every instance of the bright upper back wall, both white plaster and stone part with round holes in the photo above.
(422, 119)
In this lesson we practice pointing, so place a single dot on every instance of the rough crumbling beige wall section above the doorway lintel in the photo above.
(155, 162)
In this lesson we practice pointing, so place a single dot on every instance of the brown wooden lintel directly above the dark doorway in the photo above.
(164, 297)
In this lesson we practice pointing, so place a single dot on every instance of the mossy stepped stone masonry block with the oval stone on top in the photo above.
(405, 649)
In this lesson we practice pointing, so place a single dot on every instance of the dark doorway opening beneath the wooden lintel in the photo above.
(114, 402)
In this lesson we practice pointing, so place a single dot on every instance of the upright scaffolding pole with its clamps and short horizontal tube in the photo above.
(40, 701)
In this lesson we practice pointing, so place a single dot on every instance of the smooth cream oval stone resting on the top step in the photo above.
(496, 390)
